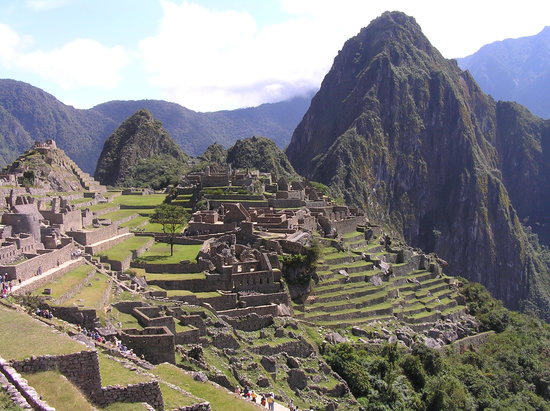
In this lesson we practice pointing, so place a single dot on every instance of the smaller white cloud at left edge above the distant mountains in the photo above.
(79, 63)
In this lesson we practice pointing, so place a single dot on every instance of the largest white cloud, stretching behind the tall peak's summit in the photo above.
(209, 59)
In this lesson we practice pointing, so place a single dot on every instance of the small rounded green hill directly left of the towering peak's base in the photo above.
(262, 154)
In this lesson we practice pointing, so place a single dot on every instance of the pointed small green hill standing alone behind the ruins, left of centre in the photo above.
(140, 153)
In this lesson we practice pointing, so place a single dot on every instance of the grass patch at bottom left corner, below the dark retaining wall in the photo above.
(57, 391)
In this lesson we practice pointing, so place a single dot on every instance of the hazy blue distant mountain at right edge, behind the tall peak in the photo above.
(515, 70)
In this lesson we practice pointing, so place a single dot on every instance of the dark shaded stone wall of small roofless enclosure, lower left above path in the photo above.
(156, 344)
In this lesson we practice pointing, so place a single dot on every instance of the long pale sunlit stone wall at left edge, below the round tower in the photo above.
(40, 263)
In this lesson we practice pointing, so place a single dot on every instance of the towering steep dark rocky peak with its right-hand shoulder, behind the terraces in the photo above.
(407, 135)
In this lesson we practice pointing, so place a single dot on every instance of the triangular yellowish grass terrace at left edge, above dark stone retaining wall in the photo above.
(32, 337)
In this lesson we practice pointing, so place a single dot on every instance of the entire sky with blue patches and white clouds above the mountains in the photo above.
(213, 54)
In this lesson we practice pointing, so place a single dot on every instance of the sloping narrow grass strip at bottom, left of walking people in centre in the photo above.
(219, 398)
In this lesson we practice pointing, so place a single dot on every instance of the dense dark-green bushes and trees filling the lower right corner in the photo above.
(509, 371)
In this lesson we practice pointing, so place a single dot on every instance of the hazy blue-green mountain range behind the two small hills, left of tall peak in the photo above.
(28, 113)
